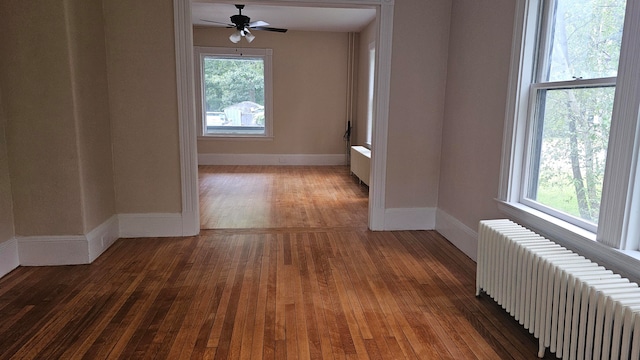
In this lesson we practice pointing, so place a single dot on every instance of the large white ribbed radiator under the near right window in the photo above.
(575, 308)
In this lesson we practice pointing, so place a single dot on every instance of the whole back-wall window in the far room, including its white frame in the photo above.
(234, 92)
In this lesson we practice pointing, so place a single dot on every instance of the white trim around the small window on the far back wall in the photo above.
(266, 54)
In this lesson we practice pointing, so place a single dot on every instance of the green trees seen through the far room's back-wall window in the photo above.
(228, 81)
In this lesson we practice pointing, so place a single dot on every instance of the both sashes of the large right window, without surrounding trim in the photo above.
(571, 102)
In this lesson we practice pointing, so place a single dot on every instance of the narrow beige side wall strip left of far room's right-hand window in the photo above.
(366, 37)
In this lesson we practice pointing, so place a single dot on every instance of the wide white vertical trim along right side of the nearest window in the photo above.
(620, 206)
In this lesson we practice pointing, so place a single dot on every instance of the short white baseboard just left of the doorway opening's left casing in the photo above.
(150, 225)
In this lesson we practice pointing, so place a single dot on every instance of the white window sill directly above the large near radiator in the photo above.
(624, 262)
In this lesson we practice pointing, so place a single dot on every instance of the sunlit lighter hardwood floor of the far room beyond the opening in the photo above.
(241, 197)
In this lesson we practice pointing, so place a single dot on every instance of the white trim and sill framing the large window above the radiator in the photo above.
(619, 222)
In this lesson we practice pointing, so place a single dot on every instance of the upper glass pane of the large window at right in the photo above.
(585, 39)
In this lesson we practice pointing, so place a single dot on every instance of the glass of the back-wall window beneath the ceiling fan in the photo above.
(234, 95)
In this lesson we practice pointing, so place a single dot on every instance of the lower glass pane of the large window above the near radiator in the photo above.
(569, 149)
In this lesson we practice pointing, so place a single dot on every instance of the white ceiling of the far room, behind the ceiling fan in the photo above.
(288, 17)
